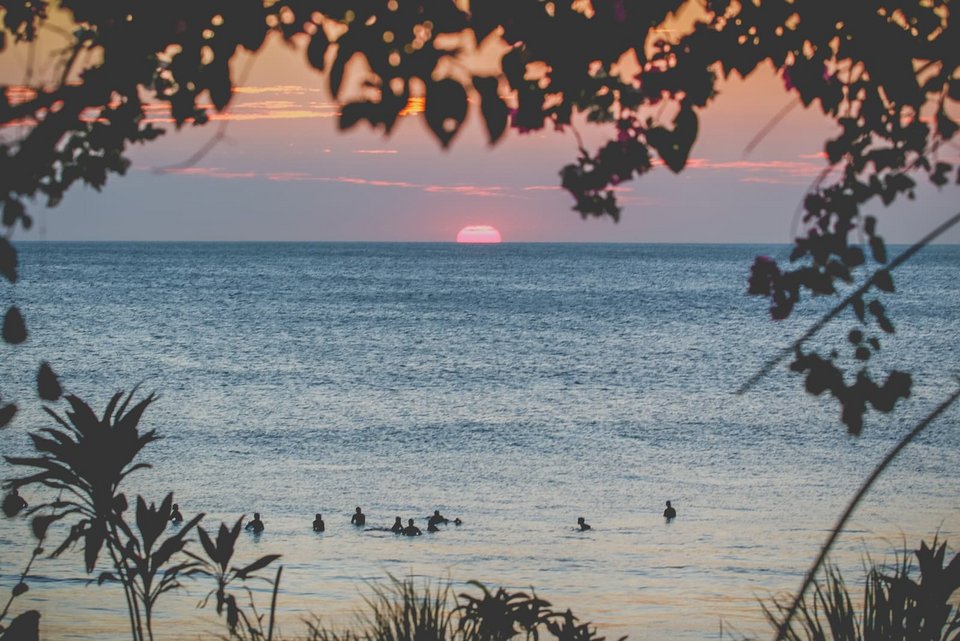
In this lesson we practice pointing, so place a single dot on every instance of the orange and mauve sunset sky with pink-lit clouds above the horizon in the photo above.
(284, 172)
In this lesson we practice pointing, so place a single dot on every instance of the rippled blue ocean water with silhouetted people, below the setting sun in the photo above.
(517, 387)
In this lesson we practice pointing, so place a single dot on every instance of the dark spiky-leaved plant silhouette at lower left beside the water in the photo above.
(85, 462)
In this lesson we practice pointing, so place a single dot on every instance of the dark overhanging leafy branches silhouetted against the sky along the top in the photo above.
(885, 72)
